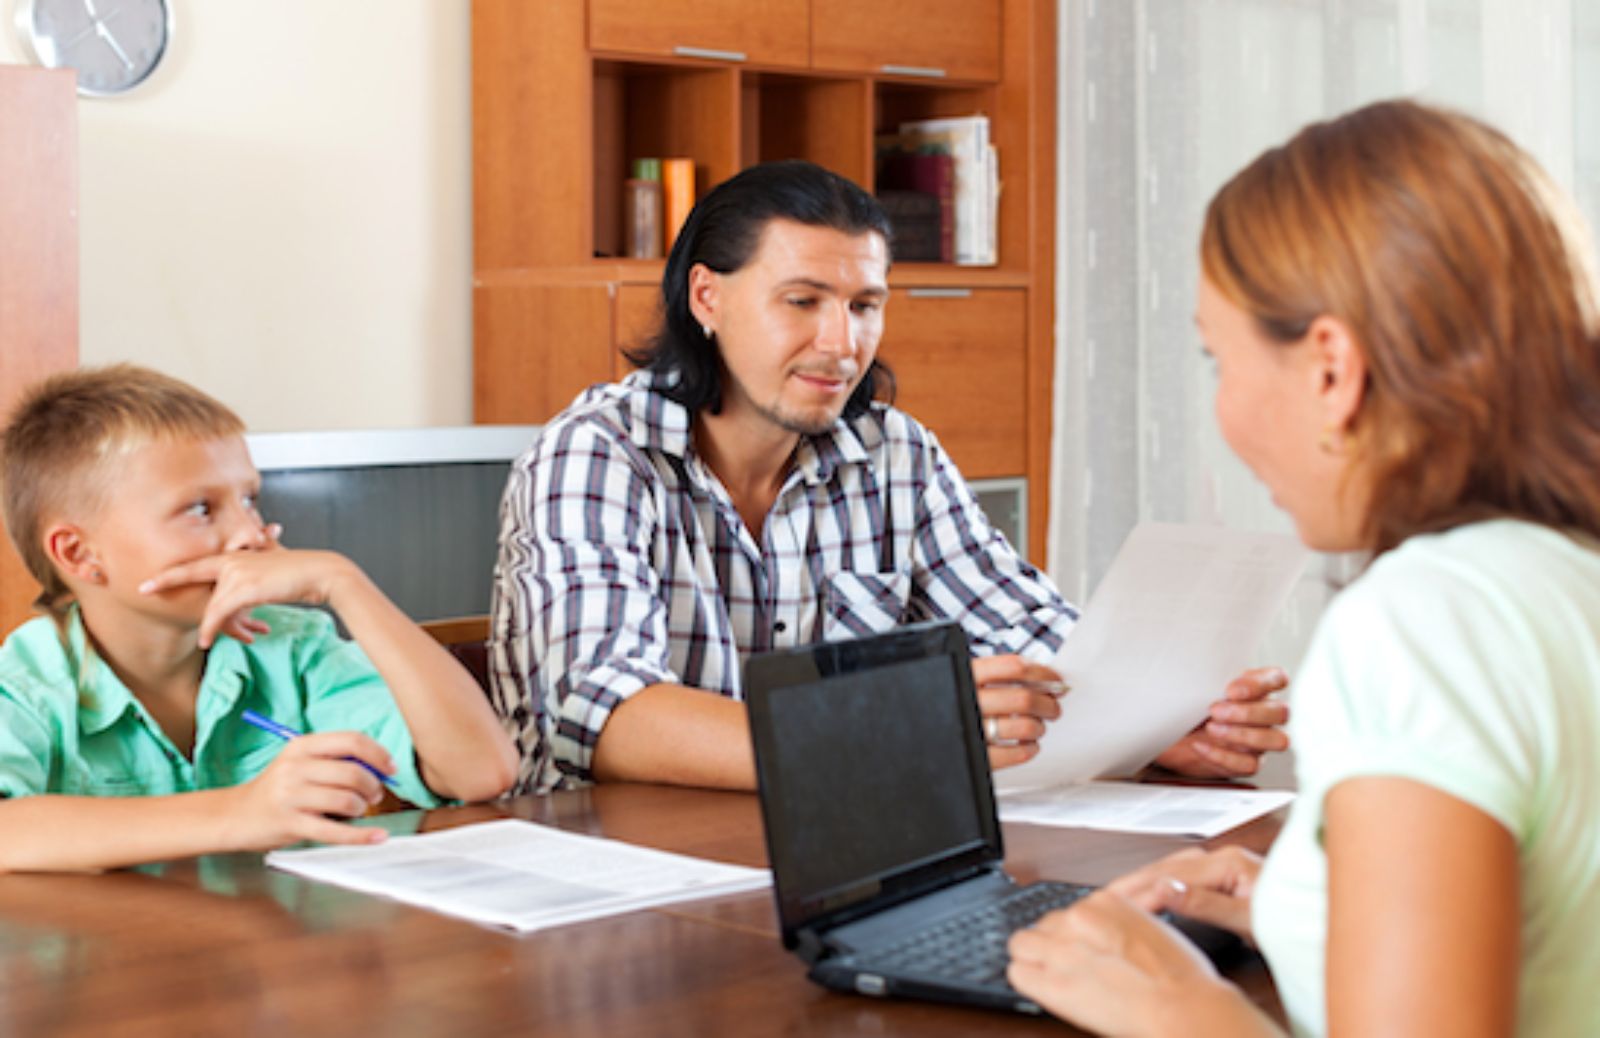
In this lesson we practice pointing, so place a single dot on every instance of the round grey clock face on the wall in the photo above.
(113, 44)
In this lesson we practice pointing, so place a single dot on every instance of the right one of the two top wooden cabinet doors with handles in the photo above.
(958, 39)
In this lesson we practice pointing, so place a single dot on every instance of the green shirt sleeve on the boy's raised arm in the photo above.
(346, 693)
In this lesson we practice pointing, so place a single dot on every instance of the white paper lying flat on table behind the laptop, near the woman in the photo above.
(1143, 808)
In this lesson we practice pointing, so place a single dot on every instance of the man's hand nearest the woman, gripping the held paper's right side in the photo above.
(1242, 727)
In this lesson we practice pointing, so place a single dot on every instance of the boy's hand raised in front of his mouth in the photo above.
(242, 581)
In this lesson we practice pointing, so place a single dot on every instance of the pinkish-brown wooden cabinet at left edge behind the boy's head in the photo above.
(39, 260)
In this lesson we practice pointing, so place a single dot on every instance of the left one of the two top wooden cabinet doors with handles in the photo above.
(774, 33)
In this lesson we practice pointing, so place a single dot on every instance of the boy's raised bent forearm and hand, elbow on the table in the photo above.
(460, 746)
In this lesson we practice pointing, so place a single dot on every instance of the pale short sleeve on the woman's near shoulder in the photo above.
(1414, 677)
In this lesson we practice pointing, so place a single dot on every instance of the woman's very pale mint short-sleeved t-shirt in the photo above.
(1468, 661)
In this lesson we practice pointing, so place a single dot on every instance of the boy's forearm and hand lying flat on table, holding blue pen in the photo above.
(311, 780)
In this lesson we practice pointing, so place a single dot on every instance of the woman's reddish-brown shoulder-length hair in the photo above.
(1470, 285)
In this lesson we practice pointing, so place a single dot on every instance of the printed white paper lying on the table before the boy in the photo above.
(521, 876)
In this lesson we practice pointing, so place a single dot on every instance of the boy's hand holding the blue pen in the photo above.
(314, 778)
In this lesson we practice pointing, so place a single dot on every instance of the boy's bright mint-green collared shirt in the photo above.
(70, 725)
